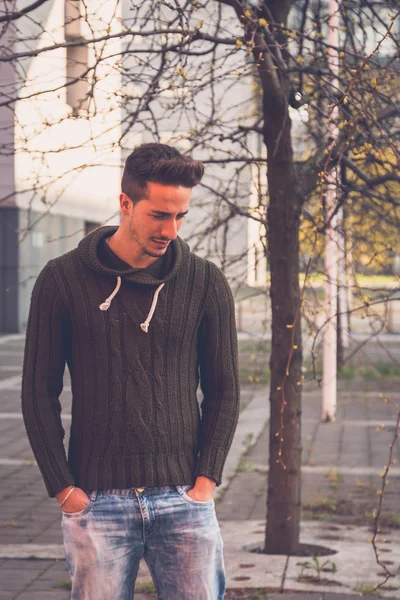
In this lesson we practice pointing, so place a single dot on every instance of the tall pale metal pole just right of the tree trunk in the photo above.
(329, 381)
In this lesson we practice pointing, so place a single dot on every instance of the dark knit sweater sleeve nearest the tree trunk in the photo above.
(219, 378)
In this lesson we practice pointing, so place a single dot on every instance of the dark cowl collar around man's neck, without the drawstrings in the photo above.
(88, 251)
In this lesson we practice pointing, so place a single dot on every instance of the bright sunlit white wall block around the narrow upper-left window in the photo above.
(69, 165)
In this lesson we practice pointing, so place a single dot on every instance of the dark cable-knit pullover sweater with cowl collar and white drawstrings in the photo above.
(137, 343)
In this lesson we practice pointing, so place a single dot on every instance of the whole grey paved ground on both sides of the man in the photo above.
(342, 463)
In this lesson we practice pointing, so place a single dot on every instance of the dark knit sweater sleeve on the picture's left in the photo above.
(42, 380)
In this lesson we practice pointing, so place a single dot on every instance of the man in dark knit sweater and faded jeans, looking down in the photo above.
(139, 319)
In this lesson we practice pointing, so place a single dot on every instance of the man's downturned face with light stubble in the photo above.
(157, 218)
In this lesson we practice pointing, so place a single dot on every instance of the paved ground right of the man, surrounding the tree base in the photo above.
(342, 462)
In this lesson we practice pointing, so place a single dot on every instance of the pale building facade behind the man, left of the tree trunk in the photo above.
(66, 137)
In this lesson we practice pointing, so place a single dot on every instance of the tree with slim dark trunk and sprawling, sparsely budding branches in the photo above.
(217, 79)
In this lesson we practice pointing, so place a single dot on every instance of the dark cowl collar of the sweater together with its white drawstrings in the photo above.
(88, 250)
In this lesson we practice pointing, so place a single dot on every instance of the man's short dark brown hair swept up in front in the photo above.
(158, 163)
